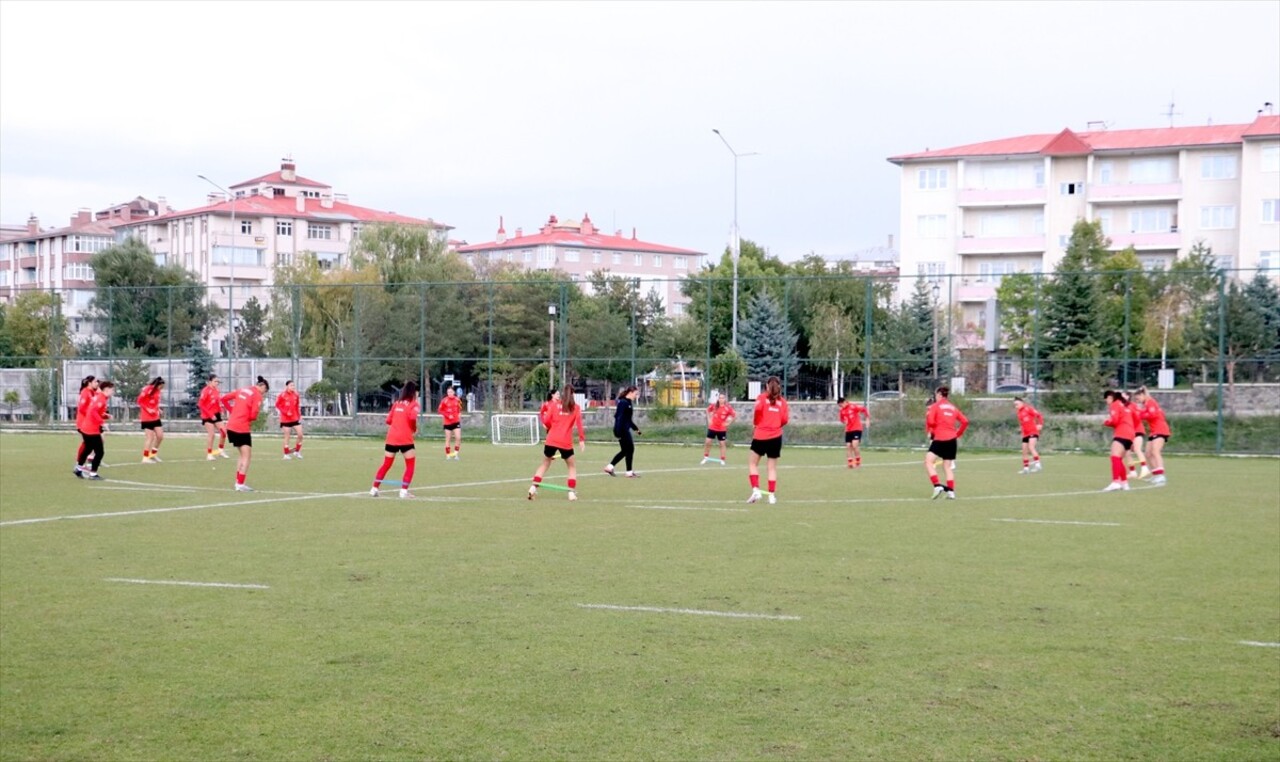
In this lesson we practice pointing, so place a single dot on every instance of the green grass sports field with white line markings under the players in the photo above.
(655, 619)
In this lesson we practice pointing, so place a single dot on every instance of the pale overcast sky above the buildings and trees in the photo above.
(464, 112)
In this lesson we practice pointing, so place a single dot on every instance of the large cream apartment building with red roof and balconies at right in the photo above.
(1003, 207)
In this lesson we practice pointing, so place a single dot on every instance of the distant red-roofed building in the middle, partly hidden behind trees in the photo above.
(579, 249)
